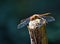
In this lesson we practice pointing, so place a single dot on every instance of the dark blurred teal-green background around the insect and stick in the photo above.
(12, 11)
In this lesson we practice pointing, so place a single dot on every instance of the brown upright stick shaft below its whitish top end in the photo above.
(38, 36)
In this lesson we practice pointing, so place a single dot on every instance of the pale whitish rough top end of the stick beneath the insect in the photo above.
(36, 23)
